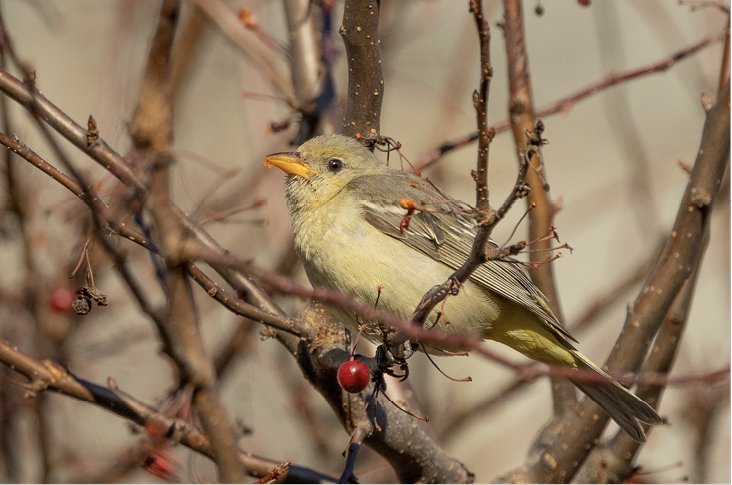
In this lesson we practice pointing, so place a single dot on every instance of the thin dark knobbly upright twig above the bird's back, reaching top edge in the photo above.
(480, 102)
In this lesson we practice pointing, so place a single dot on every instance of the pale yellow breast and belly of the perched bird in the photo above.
(342, 251)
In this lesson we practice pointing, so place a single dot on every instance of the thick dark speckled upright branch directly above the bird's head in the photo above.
(360, 32)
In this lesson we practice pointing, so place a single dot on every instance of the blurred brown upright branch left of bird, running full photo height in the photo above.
(151, 131)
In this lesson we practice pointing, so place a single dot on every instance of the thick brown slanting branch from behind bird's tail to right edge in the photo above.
(677, 262)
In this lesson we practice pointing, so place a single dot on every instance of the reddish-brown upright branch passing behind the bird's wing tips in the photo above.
(521, 115)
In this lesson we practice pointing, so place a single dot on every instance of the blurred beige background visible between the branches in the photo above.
(613, 163)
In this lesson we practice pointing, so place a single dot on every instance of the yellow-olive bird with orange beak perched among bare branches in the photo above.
(354, 232)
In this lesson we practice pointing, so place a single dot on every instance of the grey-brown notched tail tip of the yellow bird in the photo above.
(626, 409)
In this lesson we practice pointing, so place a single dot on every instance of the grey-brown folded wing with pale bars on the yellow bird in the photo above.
(444, 230)
